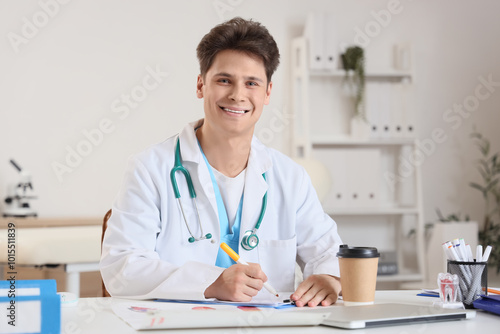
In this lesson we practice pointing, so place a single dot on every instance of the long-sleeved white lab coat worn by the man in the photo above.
(146, 253)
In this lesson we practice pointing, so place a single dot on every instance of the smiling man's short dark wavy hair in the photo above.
(241, 35)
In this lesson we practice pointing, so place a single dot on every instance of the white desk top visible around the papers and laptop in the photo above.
(94, 315)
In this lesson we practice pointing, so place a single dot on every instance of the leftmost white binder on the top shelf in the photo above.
(315, 35)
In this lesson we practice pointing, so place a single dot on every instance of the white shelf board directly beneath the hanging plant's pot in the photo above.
(318, 141)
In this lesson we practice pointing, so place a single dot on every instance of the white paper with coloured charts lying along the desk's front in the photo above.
(154, 315)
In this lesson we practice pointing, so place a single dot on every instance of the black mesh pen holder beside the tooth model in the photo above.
(473, 280)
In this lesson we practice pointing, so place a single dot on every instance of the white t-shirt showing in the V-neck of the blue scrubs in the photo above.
(231, 190)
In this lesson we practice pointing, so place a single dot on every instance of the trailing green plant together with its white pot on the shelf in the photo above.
(353, 62)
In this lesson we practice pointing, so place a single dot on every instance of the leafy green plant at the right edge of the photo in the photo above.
(489, 168)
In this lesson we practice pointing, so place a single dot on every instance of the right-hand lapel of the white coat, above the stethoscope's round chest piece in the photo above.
(259, 162)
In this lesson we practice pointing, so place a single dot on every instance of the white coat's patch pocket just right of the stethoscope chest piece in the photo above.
(277, 260)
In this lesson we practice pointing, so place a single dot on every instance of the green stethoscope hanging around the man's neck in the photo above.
(250, 239)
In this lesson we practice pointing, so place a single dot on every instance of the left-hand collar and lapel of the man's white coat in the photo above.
(193, 161)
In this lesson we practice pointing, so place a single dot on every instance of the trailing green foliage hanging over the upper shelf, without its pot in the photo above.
(353, 61)
